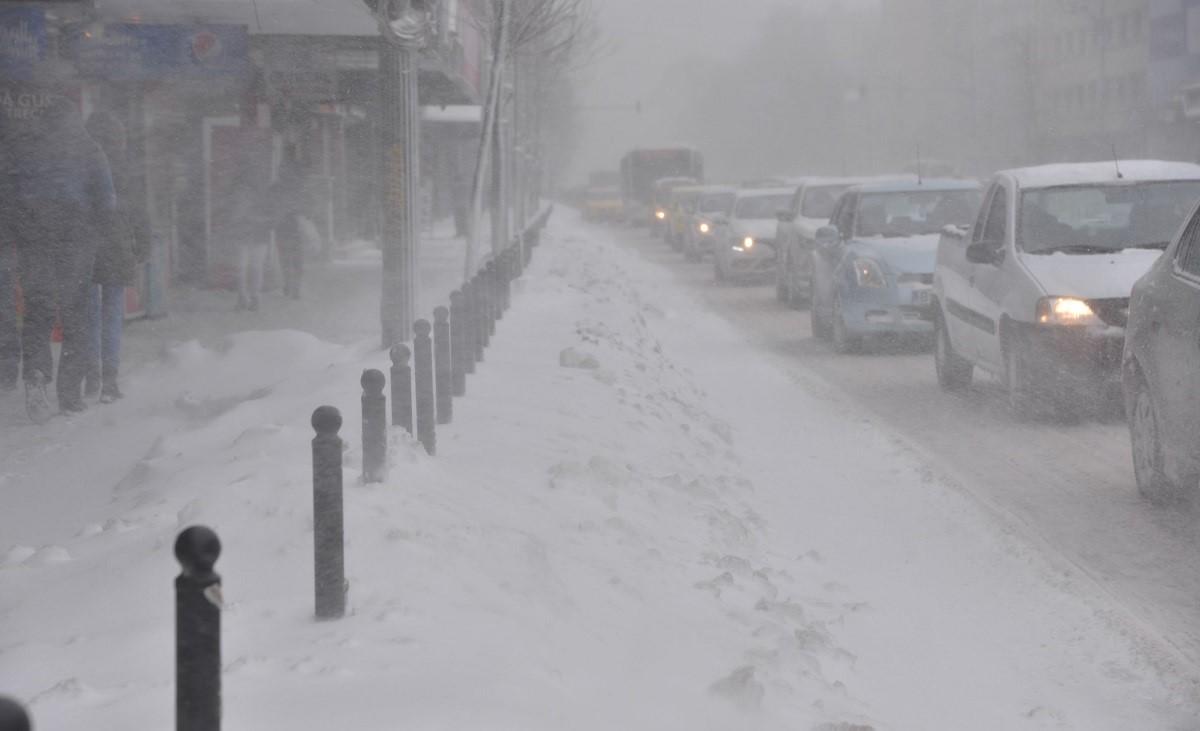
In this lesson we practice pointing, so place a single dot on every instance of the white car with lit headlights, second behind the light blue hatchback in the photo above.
(746, 242)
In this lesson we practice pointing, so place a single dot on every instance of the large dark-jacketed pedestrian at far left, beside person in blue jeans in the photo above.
(58, 202)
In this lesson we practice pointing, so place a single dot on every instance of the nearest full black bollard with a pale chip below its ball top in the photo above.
(197, 632)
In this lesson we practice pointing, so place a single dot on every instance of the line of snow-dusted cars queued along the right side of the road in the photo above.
(1075, 285)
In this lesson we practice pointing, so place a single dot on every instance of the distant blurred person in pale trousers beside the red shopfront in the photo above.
(250, 226)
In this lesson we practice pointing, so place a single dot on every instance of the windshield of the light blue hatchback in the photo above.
(915, 213)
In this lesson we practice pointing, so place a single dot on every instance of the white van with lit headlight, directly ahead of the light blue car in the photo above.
(1039, 291)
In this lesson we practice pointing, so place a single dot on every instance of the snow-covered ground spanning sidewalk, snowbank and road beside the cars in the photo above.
(659, 507)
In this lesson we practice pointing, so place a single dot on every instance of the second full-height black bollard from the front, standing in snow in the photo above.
(329, 568)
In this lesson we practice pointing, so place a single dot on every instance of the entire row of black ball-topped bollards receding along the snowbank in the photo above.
(425, 380)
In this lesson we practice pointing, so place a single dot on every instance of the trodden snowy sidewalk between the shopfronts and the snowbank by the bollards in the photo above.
(63, 474)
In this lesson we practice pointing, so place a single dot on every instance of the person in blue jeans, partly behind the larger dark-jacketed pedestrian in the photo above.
(118, 257)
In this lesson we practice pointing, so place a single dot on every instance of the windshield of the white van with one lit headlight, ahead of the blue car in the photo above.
(1105, 218)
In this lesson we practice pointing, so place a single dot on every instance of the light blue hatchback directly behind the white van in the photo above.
(873, 268)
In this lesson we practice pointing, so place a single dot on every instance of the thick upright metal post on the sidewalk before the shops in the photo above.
(404, 26)
